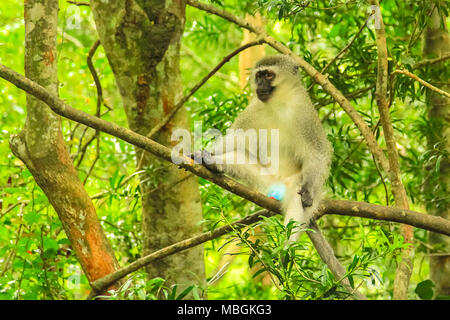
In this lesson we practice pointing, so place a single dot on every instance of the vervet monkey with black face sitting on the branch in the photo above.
(280, 102)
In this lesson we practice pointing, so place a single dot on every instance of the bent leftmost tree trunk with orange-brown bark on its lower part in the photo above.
(41, 147)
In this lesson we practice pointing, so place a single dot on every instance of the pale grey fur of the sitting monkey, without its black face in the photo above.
(304, 150)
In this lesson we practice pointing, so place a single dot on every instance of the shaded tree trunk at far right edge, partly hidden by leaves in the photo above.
(437, 43)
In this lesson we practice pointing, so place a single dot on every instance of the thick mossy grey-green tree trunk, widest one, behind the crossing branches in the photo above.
(142, 43)
